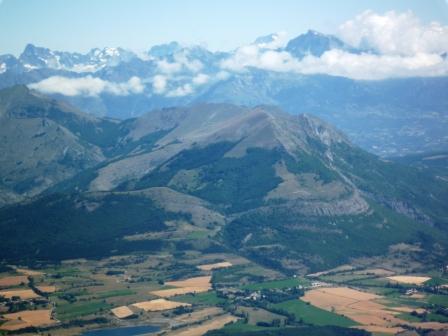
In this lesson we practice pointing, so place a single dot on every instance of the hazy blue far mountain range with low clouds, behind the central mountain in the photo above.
(389, 117)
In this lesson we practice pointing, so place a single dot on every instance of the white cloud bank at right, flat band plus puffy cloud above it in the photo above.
(402, 45)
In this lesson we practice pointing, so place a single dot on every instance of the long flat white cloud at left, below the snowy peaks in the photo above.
(87, 86)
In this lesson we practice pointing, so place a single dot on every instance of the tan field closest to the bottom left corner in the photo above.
(27, 318)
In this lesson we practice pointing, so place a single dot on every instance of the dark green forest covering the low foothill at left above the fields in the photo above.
(59, 227)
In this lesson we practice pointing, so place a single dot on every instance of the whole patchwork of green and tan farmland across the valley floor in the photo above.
(191, 293)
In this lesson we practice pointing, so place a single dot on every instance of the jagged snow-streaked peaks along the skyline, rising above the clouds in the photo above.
(35, 58)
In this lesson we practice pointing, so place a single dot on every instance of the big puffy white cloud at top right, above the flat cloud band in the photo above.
(395, 34)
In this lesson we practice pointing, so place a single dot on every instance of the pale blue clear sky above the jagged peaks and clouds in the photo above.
(220, 25)
